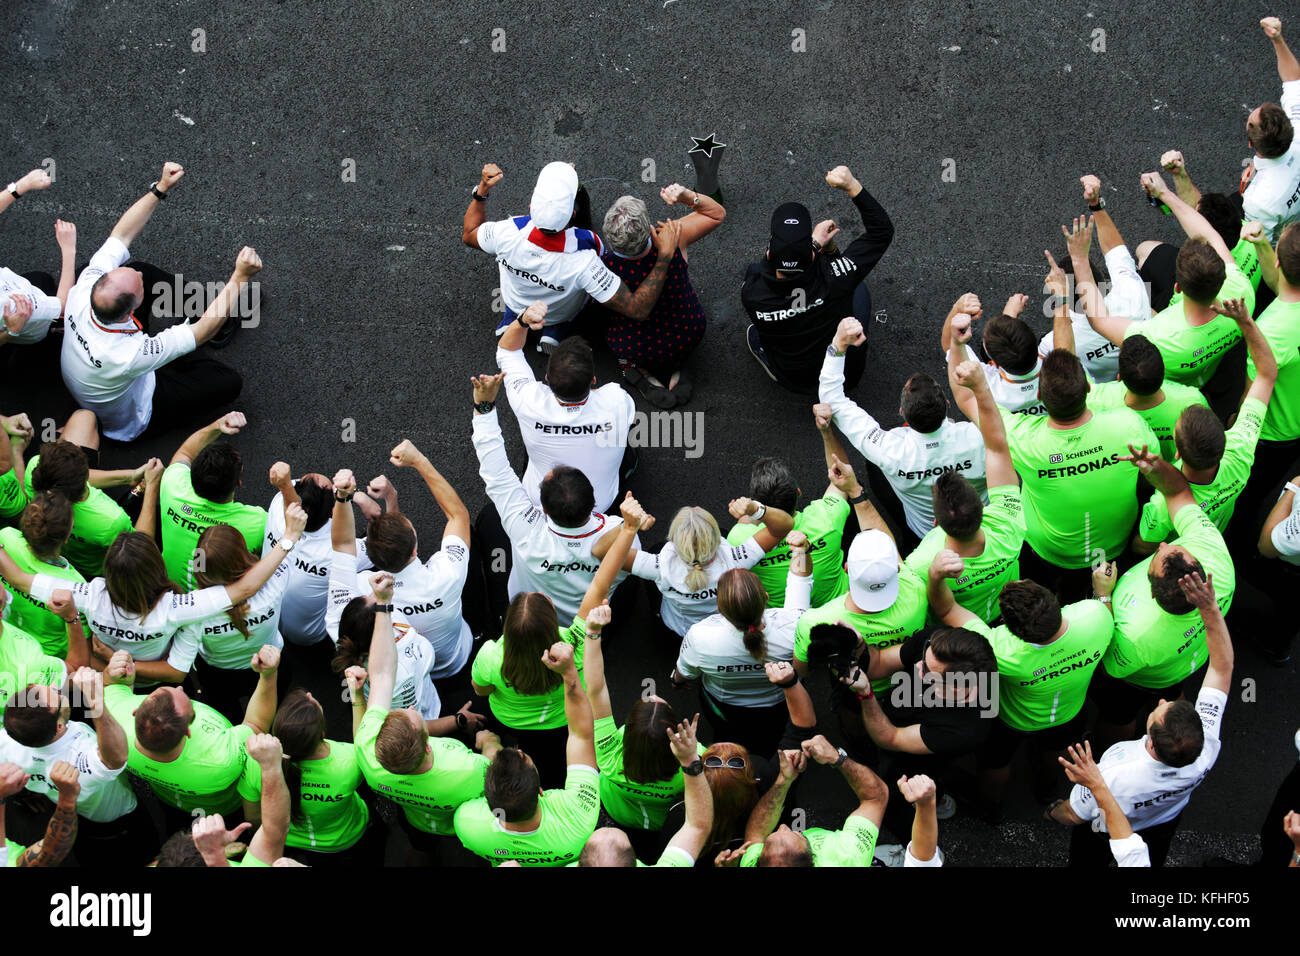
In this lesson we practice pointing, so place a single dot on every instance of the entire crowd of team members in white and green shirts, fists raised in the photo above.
(1052, 573)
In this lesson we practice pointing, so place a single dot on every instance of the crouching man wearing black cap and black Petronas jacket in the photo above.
(798, 297)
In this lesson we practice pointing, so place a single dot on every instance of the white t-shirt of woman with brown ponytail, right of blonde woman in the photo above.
(714, 651)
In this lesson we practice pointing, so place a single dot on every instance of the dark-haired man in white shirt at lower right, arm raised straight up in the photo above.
(1154, 778)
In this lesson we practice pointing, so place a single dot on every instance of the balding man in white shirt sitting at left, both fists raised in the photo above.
(114, 366)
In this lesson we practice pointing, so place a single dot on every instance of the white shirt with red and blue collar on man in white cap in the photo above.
(560, 270)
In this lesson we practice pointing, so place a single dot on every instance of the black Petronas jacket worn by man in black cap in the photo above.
(798, 318)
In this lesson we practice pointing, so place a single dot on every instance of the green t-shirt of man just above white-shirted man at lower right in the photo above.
(1156, 650)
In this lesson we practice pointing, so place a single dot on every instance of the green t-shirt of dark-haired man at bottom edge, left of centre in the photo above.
(569, 820)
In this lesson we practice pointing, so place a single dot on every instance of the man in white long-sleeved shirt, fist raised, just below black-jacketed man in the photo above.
(911, 458)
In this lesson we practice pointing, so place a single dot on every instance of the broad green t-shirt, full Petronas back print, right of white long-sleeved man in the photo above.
(1081, 501)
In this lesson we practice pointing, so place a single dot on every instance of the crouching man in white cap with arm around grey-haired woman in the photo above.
(547, 257)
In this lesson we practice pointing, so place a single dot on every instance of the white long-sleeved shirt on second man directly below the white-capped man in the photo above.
(554, 561)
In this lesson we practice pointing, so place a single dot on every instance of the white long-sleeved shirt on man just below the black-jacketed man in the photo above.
(909, 460)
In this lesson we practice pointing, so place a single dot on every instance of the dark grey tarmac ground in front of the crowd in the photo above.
(375, 313)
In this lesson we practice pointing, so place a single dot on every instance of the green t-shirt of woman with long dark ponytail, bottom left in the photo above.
(333, 815)
